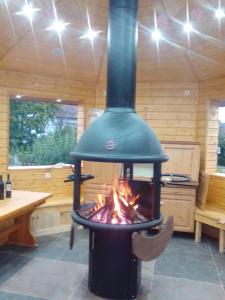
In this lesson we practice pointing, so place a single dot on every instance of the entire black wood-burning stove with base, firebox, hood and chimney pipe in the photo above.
(120, 136)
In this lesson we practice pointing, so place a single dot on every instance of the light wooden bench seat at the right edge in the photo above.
(210, 208)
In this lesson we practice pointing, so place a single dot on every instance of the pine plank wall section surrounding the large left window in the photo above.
(12, 83)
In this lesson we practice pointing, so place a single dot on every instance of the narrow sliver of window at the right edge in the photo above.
(221, 141)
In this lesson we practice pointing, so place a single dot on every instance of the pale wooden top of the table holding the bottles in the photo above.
(21, 202)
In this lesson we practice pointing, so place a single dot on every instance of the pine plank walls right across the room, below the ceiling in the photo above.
(176, 111)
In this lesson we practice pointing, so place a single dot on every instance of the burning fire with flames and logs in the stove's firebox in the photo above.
(119, 207)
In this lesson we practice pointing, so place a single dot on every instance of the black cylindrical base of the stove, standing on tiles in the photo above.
(114, 272)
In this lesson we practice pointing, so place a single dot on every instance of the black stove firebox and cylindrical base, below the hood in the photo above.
(114, 268)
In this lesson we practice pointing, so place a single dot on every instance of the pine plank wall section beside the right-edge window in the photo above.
(211, 93)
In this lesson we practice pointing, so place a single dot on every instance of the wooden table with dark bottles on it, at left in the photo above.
(15, 217)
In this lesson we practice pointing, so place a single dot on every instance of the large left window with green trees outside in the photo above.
(41, 132)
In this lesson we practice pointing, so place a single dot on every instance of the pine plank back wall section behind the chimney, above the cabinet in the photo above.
(169, 108)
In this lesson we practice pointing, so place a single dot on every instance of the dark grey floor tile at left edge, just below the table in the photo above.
(10, 264)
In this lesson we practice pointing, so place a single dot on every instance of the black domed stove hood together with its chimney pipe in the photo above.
(120, 135)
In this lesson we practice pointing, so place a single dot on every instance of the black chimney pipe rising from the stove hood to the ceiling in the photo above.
(122, 45)
